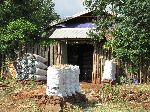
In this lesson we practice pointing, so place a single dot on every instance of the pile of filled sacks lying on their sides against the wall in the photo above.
(31, 67)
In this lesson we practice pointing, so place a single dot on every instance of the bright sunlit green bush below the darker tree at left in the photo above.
(19, 31)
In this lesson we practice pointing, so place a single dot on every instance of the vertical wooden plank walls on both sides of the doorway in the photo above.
(54, 55)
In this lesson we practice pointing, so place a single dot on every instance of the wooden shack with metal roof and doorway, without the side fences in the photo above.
(74, 46)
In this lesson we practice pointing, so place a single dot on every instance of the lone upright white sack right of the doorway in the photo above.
(109, 70)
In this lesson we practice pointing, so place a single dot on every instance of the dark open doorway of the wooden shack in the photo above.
(82, 55)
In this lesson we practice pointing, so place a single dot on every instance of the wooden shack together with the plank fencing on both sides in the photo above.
(73, 46)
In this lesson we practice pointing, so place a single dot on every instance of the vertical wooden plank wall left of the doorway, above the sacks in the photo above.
(52, 52)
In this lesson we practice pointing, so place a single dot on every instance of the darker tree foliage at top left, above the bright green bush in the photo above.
(39, 12)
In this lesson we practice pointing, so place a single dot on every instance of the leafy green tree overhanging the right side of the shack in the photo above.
(128, 22)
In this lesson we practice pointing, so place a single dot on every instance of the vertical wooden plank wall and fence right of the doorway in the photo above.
(99, 57)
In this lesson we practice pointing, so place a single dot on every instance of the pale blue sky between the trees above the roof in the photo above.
(66, 8)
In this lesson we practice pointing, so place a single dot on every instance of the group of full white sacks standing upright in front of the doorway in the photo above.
(63, 80)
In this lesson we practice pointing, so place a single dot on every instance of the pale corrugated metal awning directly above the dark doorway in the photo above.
(70, 33)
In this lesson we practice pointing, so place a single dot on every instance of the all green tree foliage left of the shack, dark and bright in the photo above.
(23, 21)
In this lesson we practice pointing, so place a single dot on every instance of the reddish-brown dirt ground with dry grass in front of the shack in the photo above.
(20, 99)
